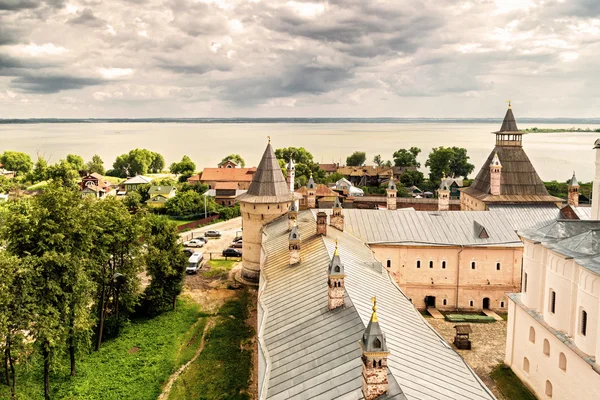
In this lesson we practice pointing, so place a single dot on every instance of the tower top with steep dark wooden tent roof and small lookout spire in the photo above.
(507, 177)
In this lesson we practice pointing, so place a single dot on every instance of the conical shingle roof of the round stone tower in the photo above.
(268, 184)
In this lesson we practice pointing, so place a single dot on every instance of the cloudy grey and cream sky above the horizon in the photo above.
(337, 58)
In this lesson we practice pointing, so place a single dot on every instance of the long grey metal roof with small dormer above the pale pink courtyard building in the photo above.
(426, 228)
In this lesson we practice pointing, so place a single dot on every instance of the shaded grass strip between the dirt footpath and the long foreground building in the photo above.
(222, 371)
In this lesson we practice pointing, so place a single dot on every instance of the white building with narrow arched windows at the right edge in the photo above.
(553, 341)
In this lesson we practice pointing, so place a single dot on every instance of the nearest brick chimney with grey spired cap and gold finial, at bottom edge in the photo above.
(374, 358)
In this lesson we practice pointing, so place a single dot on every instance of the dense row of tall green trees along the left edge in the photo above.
(71, 271)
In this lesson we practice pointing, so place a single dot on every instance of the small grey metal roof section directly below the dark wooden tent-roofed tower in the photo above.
(525, 216)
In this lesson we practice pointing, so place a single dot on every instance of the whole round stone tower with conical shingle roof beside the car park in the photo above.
(267, 198)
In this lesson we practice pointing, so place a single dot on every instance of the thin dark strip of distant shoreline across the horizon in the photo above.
(560, 121)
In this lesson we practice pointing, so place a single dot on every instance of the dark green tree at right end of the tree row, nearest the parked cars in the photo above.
(165, 263)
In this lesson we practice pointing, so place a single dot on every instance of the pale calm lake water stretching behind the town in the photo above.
(554, 155)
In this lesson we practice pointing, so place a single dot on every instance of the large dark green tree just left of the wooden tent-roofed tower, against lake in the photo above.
(451, 161)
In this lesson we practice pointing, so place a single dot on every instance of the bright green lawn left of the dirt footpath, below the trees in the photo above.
(132, 366)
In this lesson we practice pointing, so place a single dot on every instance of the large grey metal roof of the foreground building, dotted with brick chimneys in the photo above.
(309, 352)
